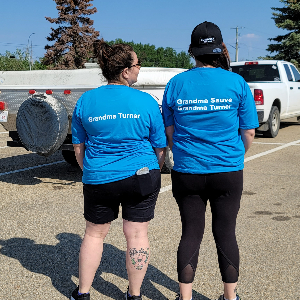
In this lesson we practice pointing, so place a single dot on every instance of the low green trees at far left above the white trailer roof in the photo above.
(18, 61)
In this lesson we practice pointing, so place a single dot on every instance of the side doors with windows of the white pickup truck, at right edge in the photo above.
(294, 88)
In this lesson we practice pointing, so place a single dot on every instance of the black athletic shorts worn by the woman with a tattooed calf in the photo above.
(102, 201)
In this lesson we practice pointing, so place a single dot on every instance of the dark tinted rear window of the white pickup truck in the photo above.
(257, 72)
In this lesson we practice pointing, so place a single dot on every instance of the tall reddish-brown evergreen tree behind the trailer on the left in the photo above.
(73, 37)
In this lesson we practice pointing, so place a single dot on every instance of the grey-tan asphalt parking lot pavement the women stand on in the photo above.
(42, 225)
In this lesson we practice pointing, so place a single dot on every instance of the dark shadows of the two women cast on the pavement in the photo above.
(60, 263)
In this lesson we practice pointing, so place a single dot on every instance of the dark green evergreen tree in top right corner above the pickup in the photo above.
(288, 45)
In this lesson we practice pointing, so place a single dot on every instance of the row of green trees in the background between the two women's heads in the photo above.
(158, 57)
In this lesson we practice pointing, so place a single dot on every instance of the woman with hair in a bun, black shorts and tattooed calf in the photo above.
(119, 142)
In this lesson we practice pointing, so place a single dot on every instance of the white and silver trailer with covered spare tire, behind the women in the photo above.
(36, 107)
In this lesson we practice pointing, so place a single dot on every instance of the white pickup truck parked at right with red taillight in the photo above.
(275, 86)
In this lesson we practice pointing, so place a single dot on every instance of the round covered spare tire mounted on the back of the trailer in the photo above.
(42, 124)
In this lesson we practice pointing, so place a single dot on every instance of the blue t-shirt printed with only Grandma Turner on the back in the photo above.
(119, 126)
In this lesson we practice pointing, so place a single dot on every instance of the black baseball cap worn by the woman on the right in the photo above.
(206, 38)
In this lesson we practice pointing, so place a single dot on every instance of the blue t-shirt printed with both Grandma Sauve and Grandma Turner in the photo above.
(207, 106)
